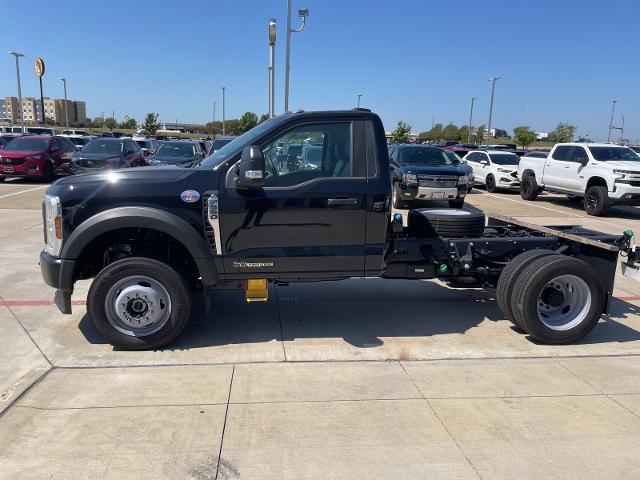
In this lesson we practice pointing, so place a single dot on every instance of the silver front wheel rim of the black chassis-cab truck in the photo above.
(138, 306)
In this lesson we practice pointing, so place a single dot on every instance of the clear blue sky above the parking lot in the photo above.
(411, 60)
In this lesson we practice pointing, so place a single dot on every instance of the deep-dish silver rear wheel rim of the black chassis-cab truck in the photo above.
(564, 302)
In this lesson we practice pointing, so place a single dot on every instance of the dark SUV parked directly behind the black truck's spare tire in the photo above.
(424, 172)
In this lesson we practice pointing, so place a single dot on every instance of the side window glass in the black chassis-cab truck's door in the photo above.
(308, 152)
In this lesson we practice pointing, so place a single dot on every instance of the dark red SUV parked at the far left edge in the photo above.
(40, 156)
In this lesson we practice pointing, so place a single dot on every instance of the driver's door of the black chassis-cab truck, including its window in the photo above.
(309, 218)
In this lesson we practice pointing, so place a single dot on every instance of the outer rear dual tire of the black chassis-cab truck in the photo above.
(550, 274)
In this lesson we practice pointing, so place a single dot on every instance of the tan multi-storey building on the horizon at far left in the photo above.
(32, 110)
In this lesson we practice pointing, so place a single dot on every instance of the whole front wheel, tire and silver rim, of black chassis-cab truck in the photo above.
(139, 303)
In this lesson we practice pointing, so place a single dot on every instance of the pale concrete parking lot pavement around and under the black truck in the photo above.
(362, 378)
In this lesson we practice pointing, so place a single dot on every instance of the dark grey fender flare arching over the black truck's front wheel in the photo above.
(143, 217)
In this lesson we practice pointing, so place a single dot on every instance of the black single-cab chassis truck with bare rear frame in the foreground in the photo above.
(249, 215)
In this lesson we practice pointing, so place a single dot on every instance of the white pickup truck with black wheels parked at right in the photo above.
(599, 174)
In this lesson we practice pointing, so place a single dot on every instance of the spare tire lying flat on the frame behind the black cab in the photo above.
(442, 222)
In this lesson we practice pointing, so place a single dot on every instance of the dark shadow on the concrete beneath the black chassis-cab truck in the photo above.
(362, 312)
